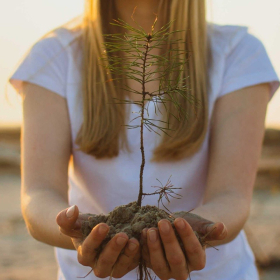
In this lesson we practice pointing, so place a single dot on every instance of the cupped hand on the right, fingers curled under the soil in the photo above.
(162, 253)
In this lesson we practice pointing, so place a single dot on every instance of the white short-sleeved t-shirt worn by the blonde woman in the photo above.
(98, 186)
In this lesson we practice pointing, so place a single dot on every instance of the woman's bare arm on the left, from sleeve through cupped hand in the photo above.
(46, 151)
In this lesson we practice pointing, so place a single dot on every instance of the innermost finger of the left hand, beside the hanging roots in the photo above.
(128, 260)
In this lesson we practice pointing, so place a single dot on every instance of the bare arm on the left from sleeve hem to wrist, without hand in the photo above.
(45, 153)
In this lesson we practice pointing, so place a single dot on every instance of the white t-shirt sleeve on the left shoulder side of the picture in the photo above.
(45, 65)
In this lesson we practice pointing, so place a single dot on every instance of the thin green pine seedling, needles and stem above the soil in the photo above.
(138, 45)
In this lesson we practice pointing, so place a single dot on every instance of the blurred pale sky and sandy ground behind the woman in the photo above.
(22, 23)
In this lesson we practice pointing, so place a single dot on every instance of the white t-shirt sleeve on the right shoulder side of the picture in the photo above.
(248, 64)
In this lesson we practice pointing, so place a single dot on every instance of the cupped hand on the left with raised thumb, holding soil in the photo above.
(119, 256)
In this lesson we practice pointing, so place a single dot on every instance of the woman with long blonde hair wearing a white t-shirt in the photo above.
(213, 157)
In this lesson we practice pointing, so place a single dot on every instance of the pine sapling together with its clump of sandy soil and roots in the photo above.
(137, 45)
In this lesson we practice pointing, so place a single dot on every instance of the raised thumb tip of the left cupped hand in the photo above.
(67, 218)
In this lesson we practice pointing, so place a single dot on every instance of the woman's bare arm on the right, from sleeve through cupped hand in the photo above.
(236, 139)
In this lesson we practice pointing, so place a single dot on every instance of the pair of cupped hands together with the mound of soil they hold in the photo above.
(112, 250)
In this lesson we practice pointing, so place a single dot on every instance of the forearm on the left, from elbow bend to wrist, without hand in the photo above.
(39, 210)
